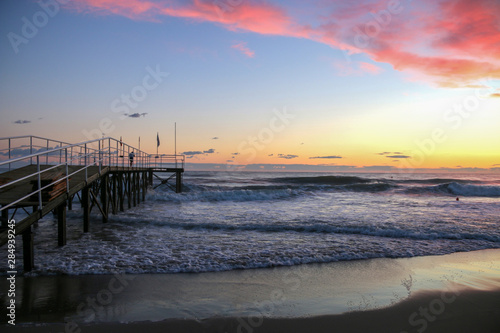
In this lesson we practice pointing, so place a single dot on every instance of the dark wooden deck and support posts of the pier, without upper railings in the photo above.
(108, 188)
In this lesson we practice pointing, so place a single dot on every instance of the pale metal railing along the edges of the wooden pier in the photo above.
(103, 153)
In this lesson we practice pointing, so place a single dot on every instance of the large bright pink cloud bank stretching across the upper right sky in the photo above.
(457, 46)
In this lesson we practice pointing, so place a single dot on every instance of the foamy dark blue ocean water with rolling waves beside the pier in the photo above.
(244, 220)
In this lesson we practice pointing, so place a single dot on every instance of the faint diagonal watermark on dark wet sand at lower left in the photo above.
(103, 299)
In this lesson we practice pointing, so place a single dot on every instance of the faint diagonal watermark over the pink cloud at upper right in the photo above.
(365, 33)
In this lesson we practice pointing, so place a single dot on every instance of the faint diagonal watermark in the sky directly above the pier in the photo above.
(126, 102)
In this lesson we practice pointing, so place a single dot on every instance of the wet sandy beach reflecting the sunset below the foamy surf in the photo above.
(458, 292)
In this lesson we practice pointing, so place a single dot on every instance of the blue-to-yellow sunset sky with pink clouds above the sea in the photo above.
(349, 85)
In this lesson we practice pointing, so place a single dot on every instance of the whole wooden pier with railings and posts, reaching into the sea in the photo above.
(38, 189)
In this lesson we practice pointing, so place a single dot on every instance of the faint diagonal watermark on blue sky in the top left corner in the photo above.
(31, 26)
